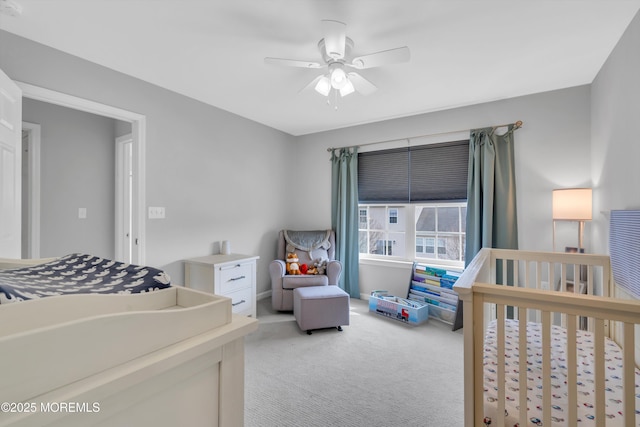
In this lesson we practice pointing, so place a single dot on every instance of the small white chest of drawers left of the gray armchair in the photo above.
(233, 276)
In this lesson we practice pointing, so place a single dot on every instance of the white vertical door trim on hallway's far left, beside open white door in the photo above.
(33, 214)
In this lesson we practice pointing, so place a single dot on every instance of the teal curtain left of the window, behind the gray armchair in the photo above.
(344, 215)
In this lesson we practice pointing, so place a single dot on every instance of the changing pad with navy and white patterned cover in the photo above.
(79, 274)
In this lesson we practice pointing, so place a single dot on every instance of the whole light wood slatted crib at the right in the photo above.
(534, 299)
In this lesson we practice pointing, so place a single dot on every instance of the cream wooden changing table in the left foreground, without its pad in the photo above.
(173, 357)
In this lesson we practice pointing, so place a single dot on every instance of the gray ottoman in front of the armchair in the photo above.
(318, 307)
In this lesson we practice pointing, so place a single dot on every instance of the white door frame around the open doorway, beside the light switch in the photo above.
(138, 134)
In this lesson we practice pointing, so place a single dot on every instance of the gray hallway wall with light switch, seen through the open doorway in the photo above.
(77, 170)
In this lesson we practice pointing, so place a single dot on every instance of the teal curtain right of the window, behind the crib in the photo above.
(491, 192)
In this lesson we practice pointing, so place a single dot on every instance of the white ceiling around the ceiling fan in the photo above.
(462, 52)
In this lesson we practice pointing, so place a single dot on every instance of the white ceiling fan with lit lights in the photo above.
(335, 48)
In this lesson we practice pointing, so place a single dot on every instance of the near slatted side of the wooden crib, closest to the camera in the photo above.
(573, 306)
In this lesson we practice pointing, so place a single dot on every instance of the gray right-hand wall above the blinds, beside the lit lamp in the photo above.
(615, 109)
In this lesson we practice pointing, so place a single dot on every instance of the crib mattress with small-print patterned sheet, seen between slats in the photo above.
(585, 383)
